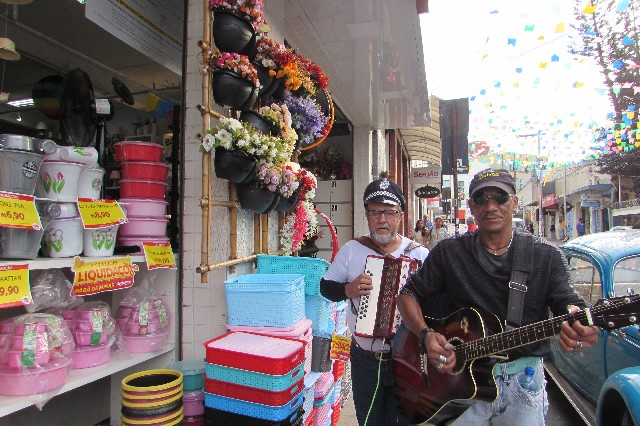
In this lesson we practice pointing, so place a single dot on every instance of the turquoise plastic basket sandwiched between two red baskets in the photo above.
(251, 378)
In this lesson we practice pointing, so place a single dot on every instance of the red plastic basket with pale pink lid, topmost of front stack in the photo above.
(255, 352)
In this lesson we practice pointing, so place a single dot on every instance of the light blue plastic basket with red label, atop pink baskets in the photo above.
(265, 300)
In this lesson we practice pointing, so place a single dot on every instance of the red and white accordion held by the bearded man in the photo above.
(378, 315)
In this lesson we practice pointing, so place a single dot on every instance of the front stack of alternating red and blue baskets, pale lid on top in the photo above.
(253, 379)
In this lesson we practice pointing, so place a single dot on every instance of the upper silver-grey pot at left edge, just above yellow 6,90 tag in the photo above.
(19, 170)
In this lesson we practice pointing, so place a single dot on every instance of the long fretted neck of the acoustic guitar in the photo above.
(501, 342)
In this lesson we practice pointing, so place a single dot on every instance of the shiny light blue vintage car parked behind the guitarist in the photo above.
(603, 383)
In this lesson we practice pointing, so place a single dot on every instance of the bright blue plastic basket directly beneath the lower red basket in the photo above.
(251, 409)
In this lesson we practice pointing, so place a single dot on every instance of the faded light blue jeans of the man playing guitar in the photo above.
(514, 405)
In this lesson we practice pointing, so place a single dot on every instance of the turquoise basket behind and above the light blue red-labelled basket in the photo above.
(312, 269)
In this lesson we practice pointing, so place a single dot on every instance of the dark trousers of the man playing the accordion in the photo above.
(364, 379)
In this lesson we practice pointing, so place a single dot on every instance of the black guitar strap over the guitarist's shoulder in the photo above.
(521, 267)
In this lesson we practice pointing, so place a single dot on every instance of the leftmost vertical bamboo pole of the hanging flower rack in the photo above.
(205, 243)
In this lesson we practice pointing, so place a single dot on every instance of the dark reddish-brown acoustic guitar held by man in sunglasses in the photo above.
(480, 341)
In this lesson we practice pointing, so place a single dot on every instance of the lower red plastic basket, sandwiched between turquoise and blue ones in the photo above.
(250, 394)
